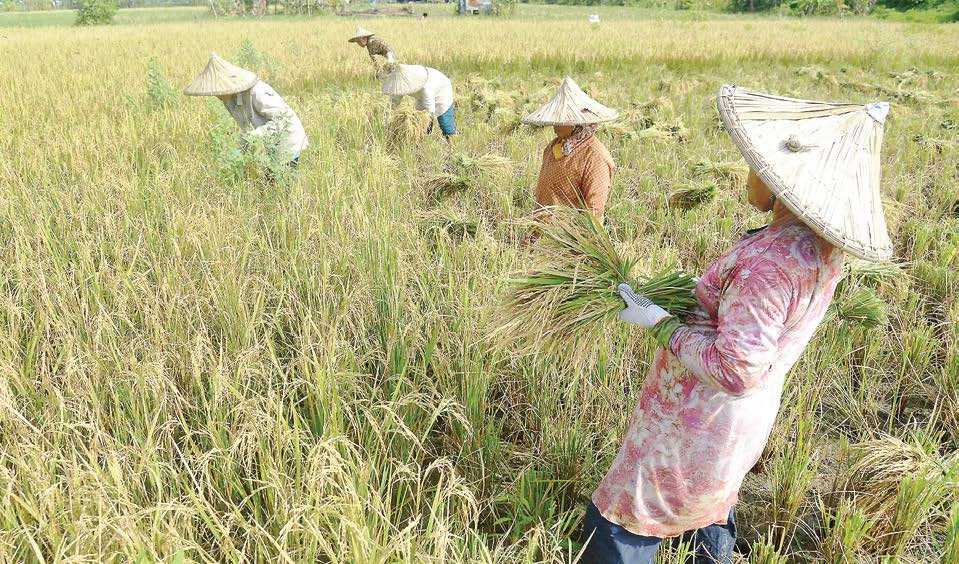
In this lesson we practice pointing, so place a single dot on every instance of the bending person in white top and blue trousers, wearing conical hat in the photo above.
(431, 89)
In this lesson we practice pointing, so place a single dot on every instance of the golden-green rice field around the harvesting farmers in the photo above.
(197, 365)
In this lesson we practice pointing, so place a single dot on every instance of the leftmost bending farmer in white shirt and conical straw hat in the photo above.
(256, 107)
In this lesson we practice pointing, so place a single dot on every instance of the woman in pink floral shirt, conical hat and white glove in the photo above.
(708, 405)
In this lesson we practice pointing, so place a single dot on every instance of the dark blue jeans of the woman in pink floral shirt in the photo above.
(611, 544)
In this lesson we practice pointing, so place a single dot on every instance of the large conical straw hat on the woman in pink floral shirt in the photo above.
(820, 159)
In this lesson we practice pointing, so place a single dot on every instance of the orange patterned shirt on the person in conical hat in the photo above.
(579, 180)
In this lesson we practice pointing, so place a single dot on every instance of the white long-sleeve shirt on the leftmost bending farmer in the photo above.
(261, 111)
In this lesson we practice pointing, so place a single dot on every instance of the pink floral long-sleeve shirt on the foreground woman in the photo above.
(709, 403)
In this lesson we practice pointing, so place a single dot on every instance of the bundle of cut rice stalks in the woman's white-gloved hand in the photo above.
(567, 300)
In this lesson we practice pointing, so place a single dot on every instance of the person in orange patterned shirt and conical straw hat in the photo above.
(577, 168)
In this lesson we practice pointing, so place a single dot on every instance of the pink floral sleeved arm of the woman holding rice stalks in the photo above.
(751, 319)
